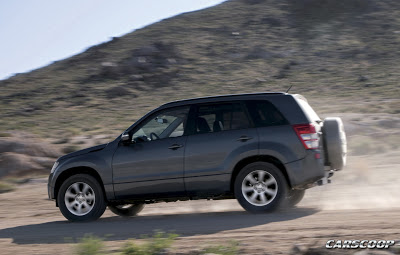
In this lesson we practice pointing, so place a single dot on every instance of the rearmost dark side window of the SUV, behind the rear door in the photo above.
(265, 114)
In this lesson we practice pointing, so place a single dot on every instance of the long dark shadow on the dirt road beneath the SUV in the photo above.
(118, 228)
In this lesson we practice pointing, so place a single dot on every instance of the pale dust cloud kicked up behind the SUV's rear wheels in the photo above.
(368, 182)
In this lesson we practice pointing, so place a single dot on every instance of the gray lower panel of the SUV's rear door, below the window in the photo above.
(211, 154)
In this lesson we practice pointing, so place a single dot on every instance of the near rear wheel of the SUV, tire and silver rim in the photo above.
(260, 196)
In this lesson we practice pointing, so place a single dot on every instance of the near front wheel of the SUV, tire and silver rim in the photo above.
(81, 198)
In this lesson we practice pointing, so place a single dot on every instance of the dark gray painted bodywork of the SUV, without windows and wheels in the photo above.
(203, 166)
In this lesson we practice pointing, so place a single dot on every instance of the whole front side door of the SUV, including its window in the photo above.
(152, 164)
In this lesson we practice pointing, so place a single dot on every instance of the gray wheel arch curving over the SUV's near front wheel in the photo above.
(73, 171)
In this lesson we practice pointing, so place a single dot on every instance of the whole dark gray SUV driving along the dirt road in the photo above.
(263, 149)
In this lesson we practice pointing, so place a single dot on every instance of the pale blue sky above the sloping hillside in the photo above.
(35, 33)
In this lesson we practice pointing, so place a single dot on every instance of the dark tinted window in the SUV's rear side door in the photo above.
(220, 117)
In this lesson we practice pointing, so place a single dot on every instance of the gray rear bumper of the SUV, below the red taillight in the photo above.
(304, 172)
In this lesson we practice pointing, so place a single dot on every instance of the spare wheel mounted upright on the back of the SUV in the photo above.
(335, 143)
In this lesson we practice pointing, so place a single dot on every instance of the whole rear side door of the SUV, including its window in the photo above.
(221, 135)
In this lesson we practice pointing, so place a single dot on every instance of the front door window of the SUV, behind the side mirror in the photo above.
(164, 124)
